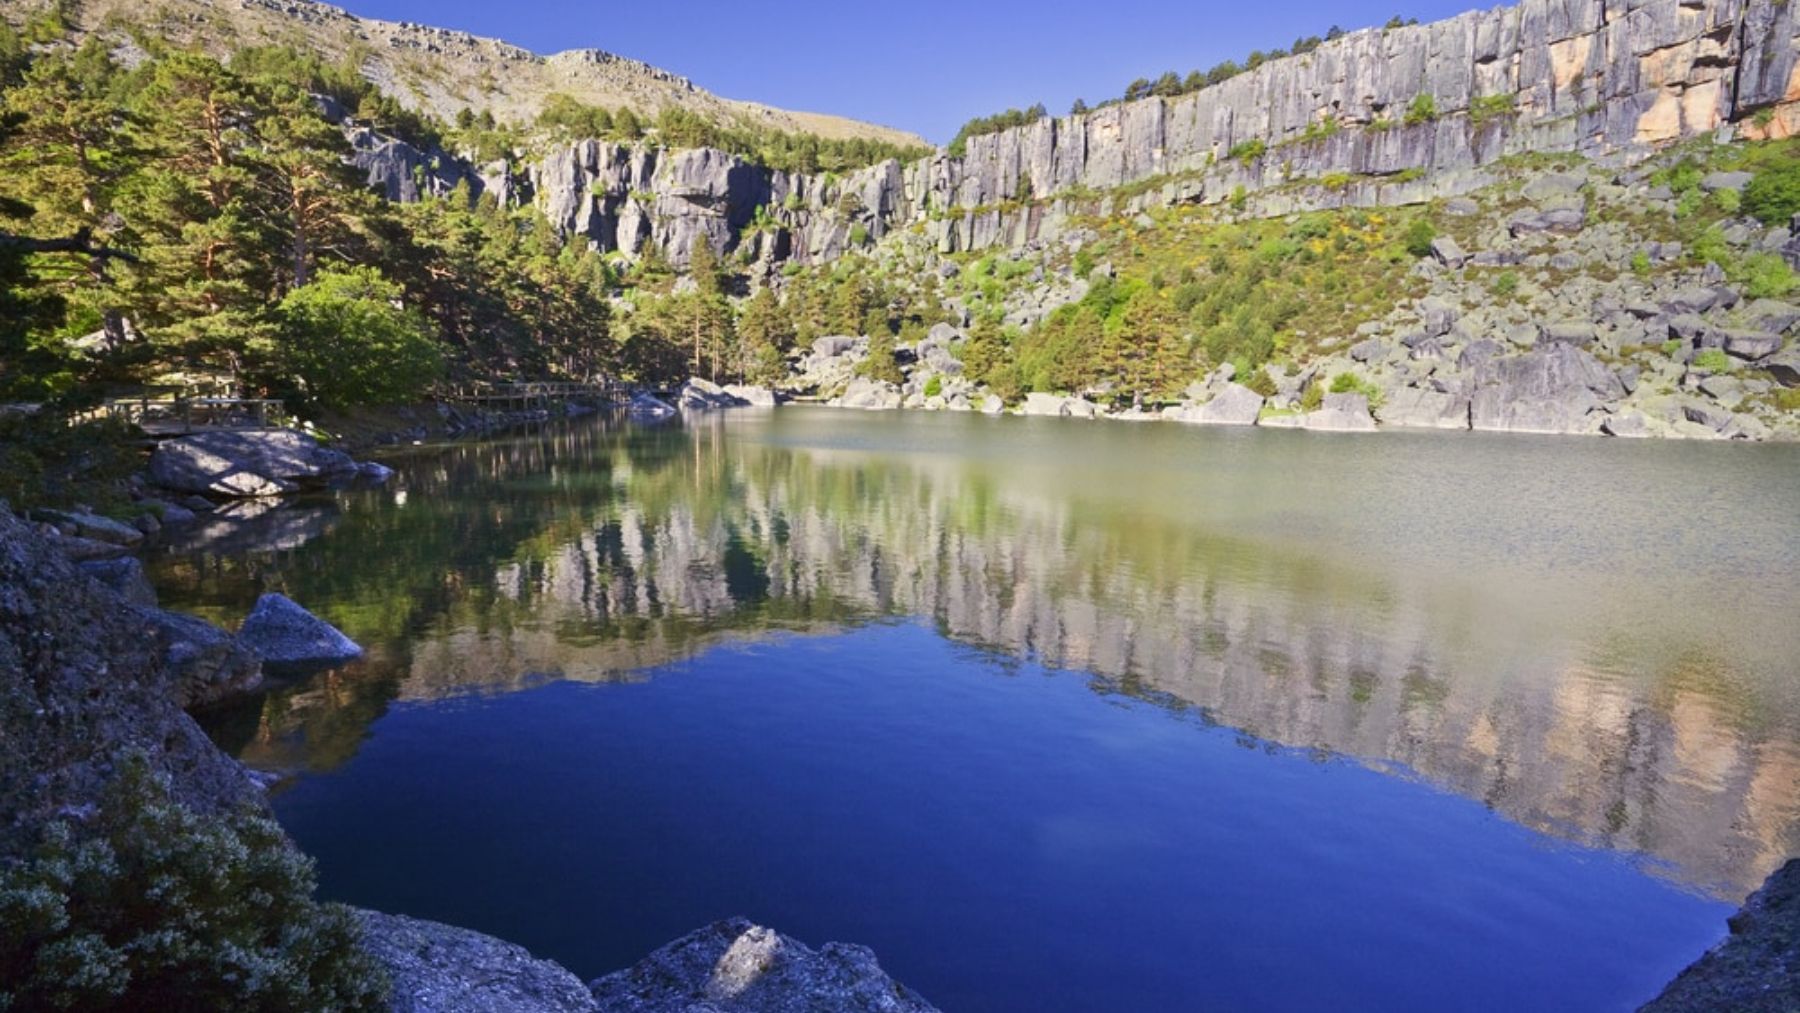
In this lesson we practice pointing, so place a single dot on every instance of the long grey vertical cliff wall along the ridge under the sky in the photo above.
(1606, 78)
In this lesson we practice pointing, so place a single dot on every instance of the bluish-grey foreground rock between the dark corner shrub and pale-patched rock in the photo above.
(440, 969)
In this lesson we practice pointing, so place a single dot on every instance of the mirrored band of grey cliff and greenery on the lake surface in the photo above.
(604, 553)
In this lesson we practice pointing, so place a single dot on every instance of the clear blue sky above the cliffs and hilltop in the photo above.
(924, 66)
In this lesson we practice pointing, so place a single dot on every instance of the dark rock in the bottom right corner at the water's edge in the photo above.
(1758, 969)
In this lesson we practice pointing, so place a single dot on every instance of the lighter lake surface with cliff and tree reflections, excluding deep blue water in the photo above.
(1596, 641)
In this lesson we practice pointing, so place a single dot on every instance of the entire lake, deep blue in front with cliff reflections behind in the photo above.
(1050, 713)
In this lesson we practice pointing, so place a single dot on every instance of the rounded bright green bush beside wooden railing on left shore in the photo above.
(346, 341)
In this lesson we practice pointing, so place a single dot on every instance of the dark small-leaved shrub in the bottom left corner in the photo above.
(150, 906)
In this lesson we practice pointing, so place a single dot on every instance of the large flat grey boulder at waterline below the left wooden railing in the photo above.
(246, 465)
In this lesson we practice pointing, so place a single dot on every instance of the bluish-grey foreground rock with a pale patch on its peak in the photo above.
(737, 967)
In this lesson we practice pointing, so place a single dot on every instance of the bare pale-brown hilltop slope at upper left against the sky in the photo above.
(440, 71)
